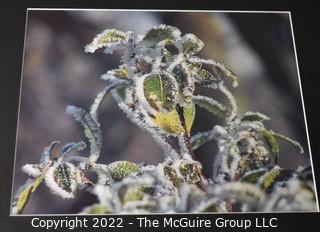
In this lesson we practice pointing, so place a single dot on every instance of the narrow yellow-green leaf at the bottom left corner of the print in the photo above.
(23, 194)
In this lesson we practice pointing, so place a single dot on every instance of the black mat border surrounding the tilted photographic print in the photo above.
(12, 25)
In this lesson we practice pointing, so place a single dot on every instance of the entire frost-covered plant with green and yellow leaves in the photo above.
(154, 86)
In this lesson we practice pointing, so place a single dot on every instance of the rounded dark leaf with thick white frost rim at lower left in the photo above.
(62, 180)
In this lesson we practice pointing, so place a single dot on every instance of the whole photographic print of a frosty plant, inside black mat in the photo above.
(131, 112)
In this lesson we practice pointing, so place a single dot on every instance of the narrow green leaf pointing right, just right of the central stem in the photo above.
(211, 105)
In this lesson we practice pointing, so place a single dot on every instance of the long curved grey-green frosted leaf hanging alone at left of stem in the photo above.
(91, 130)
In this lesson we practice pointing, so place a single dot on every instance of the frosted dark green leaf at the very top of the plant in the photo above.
(160, 33)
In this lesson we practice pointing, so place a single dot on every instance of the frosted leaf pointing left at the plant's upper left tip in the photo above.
(111, 39)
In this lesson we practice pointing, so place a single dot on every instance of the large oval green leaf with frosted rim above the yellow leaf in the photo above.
(161, 92)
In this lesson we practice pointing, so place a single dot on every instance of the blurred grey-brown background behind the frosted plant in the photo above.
(258, 47)
